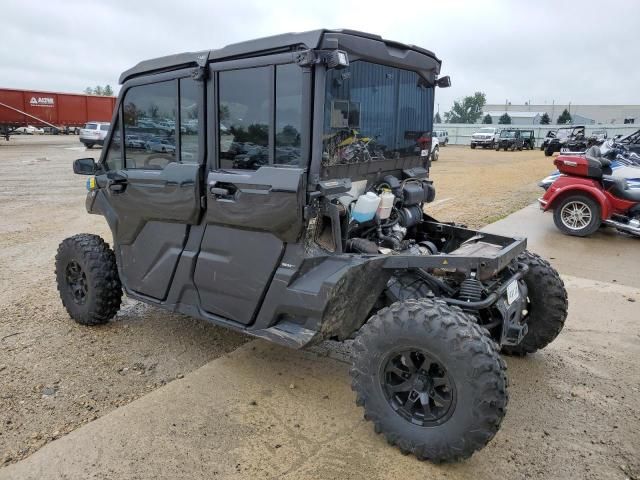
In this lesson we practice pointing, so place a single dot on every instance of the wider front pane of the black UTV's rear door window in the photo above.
(244, 110)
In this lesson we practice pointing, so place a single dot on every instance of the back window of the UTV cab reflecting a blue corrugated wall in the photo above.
(375, 112)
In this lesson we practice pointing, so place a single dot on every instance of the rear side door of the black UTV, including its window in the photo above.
(255, 184)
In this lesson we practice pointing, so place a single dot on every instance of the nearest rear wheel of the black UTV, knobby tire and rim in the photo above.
(465, 373)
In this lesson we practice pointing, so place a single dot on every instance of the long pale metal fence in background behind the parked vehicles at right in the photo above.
(460, 133)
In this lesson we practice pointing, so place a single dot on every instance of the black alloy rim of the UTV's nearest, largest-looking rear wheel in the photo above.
(418, 387)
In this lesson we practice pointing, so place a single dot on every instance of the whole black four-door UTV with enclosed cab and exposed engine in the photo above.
(293, 209)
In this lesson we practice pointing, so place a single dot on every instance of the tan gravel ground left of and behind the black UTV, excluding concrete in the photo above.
(56, 375)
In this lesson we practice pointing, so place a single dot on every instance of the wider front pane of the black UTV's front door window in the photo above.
(150, 125)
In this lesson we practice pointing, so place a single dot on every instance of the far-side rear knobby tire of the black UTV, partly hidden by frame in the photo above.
(547, 306)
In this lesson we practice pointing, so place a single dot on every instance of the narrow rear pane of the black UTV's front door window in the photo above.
(189, 120)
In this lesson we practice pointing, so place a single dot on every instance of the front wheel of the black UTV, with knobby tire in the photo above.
(88, 280)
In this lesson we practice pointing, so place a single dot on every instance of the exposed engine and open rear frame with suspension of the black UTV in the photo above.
(385, 220)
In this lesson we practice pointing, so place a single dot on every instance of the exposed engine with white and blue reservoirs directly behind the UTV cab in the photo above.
(385, 217)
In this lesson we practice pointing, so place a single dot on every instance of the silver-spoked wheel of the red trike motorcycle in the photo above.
(577, 215)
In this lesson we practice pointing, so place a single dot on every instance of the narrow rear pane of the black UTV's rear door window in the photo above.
(288, 114)
